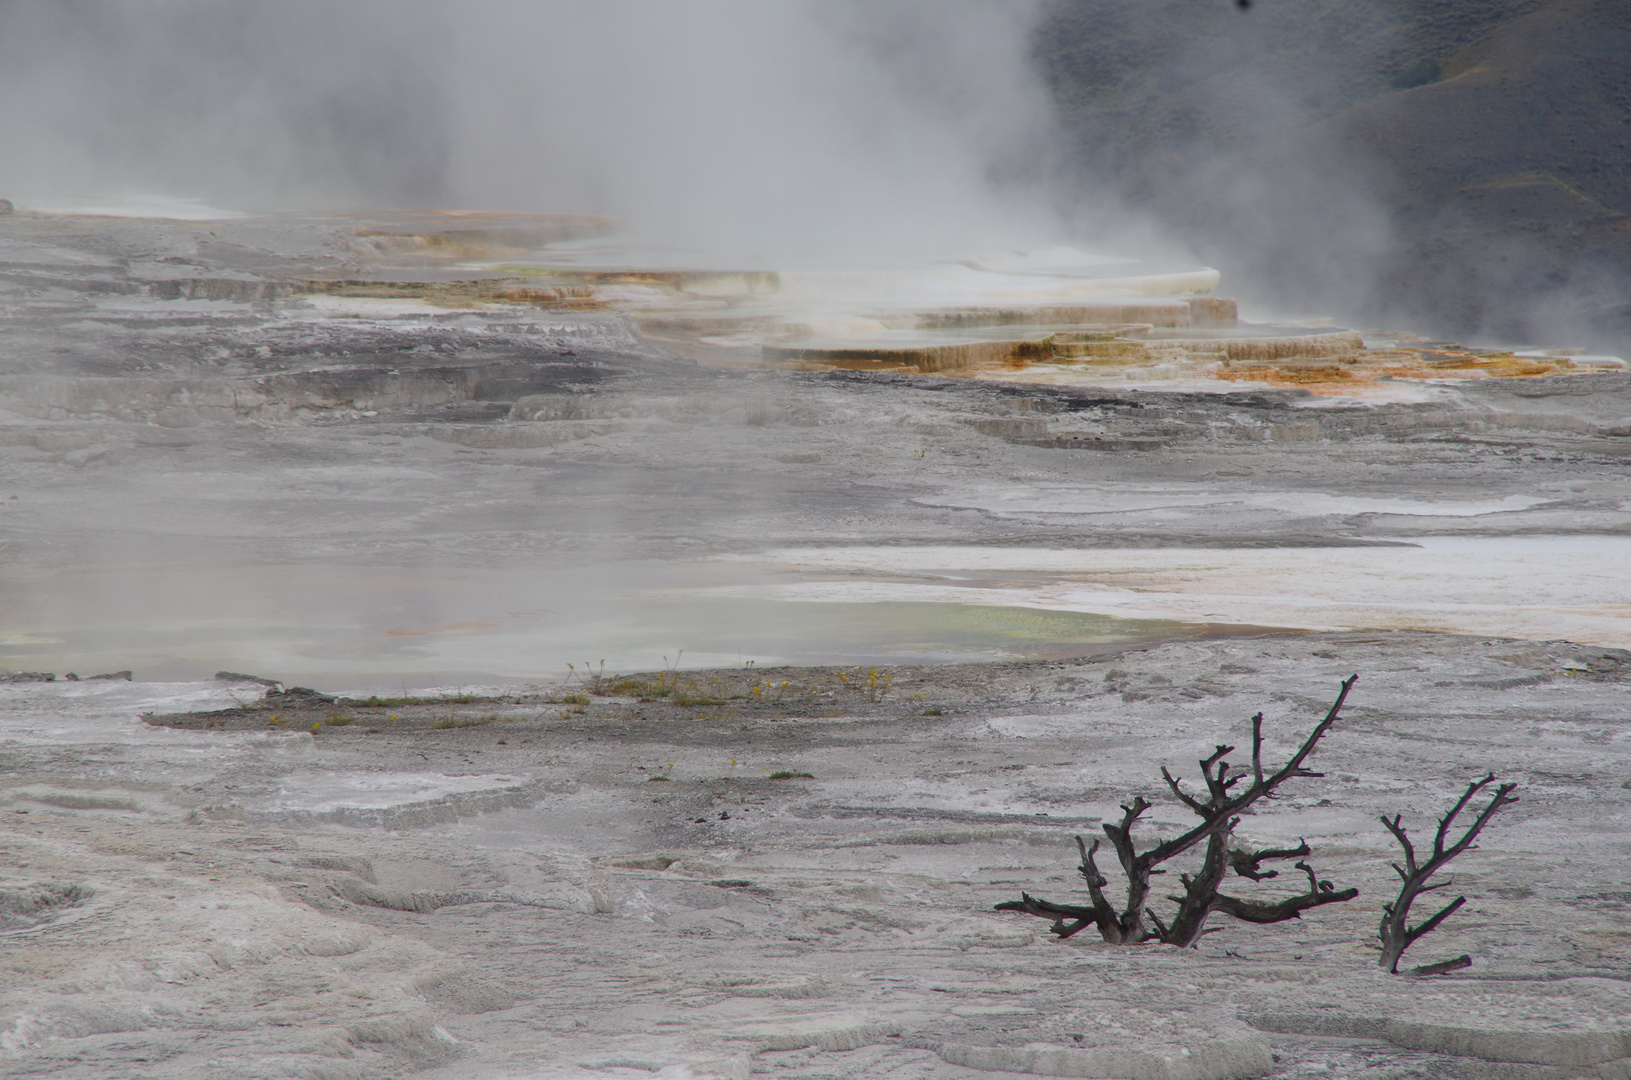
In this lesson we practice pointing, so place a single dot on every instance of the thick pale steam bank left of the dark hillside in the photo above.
(803, 128)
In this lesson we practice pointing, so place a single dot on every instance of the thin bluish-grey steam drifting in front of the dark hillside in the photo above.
(1195, 117)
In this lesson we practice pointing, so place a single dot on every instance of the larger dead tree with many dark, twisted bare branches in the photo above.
(1227, 795)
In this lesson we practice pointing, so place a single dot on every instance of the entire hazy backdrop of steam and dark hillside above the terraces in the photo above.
(1456, 167)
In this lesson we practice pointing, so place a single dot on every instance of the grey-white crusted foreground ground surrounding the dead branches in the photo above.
(549, 911)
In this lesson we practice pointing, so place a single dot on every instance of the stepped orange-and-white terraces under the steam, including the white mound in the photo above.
(1058, 316)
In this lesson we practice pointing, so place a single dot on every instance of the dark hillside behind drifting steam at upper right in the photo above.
(1459, 166)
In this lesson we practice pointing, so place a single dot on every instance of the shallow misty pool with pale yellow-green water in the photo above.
(413, 627)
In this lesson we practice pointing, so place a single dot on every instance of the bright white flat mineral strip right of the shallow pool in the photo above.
(1573, 588)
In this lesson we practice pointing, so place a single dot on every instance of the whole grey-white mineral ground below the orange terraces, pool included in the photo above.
(777, 851)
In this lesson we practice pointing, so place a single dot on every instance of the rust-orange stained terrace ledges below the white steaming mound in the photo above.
(738, 319)
